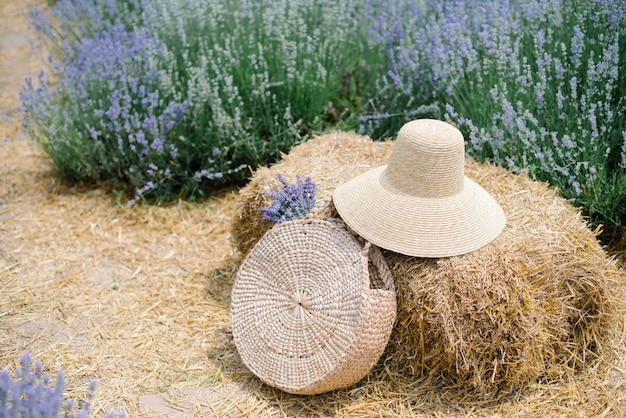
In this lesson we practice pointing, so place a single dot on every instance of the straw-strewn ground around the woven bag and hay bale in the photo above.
(138, 298)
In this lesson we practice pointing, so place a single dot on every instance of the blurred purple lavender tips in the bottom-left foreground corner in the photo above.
(29, 394)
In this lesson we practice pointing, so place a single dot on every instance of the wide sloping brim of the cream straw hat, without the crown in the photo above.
(415, 226)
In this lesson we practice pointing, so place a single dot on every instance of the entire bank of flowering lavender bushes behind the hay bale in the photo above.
(174, 97)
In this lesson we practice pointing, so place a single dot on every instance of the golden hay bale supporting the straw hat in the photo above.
(541, 301)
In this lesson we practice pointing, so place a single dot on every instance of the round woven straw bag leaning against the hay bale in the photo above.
(312, 309)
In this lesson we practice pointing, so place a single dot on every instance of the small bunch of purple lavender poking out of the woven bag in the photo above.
(293, 201)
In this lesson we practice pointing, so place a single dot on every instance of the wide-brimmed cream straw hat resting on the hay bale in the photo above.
(420, 203)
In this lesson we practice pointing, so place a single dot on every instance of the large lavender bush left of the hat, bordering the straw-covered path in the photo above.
(191, 94)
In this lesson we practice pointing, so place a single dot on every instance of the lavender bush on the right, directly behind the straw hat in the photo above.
(536, 86)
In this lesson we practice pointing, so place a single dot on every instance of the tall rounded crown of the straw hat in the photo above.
(427, 160)
